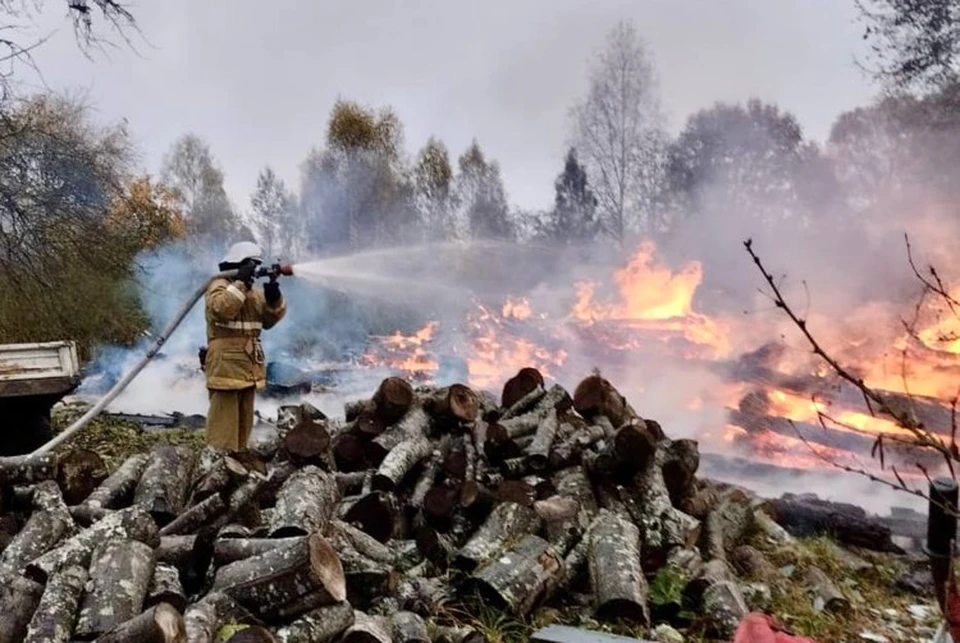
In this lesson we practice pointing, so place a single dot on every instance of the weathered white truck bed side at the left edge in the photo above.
(47, 368)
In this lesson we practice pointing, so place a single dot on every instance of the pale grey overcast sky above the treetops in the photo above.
(257, 79)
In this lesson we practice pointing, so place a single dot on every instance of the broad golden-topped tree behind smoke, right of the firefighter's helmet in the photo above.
(355, 191)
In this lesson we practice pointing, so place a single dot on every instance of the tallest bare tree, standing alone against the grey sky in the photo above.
(618, 128)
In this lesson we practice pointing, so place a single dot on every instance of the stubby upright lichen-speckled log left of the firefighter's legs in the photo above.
(162, 489)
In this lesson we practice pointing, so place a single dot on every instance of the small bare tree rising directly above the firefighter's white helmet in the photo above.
(275, 215)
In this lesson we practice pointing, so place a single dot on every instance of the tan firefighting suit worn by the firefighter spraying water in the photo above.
(235, 364)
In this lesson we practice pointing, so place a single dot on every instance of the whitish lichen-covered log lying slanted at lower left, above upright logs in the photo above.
(133, 523)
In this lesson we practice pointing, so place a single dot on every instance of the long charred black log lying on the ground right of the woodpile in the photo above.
(805, 516)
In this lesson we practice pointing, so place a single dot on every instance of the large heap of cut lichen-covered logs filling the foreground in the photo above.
(372, 527)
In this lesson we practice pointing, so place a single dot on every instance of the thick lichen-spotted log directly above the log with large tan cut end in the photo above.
(306, 502)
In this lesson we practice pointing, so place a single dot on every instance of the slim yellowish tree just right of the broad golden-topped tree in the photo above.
(433, 177)
